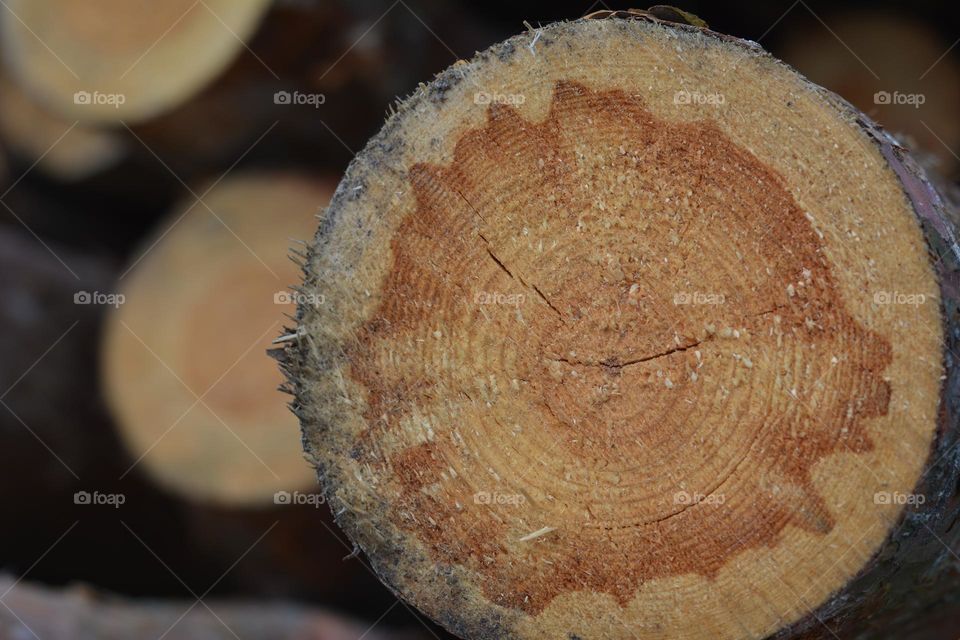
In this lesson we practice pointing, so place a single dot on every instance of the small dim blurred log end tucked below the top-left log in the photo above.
(65, 150)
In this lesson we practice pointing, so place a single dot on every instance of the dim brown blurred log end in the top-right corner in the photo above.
(892, 66)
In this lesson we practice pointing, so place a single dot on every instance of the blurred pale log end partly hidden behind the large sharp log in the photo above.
(183, 372)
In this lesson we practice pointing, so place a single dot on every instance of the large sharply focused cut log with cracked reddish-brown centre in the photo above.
(634, 332)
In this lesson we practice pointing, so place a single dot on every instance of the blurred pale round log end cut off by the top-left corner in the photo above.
(115, 61)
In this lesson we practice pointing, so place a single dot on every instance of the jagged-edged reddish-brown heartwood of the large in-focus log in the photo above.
(613, 397)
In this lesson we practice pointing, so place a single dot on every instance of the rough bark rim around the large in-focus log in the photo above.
(907, 565)
